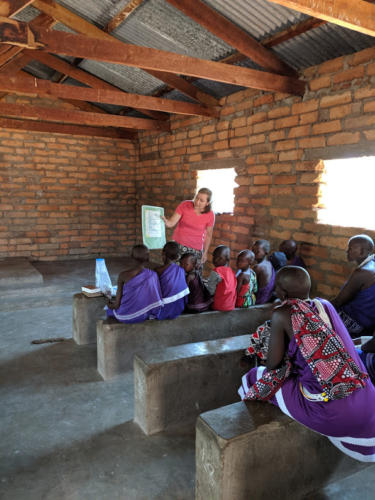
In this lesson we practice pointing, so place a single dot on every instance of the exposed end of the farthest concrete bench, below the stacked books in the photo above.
(86, 312)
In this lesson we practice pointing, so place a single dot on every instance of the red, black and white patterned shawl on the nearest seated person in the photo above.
(323, 351)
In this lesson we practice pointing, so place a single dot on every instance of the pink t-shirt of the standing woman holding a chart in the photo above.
(191, 228)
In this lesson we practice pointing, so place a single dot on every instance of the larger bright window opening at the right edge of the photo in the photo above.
(347, 192)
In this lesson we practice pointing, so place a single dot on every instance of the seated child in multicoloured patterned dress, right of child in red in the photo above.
(246, 279)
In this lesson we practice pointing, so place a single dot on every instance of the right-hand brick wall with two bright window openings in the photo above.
(277, 143)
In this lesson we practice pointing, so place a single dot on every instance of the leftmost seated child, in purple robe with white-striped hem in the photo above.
(138, 294)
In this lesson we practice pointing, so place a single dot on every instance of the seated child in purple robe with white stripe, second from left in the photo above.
(174, 289)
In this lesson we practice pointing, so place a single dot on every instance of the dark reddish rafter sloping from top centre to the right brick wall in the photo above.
(221, 27)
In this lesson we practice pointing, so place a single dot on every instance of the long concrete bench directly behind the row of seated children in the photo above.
(118, 342)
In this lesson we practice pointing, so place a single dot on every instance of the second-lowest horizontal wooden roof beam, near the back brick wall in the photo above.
(79, 117)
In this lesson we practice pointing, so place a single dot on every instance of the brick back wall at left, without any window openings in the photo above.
(65, 196)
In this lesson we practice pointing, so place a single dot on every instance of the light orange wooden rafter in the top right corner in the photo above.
(357, 16)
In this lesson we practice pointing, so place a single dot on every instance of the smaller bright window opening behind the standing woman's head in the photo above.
(221, 182)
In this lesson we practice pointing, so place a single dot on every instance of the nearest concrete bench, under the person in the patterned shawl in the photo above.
(252, 450)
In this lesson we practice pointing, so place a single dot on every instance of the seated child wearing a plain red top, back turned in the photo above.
(222, 283)
